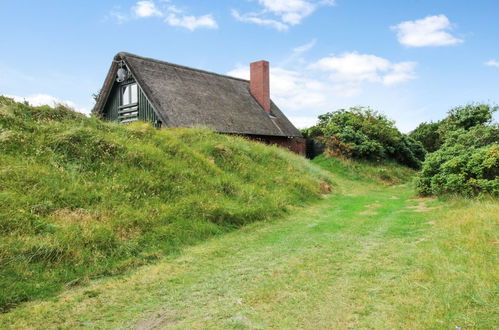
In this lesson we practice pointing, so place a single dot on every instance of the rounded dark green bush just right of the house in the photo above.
(362, 133)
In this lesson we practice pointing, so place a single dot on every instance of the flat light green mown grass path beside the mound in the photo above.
(368, 256)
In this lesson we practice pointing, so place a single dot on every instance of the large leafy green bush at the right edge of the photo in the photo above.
(465, 153)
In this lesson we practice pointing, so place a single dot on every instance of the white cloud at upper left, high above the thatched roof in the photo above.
(173, 16)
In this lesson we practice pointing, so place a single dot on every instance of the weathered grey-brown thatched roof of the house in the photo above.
(187, 97)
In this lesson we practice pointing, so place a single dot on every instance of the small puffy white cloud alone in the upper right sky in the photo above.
(429, 31)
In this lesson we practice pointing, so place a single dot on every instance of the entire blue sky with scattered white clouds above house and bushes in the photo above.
(411, 59)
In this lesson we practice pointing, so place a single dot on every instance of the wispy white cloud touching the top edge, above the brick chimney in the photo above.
(281, 14)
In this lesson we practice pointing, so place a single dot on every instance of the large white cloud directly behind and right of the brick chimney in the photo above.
(306, 87)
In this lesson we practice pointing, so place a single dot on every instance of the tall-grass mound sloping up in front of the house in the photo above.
(81, 198)
